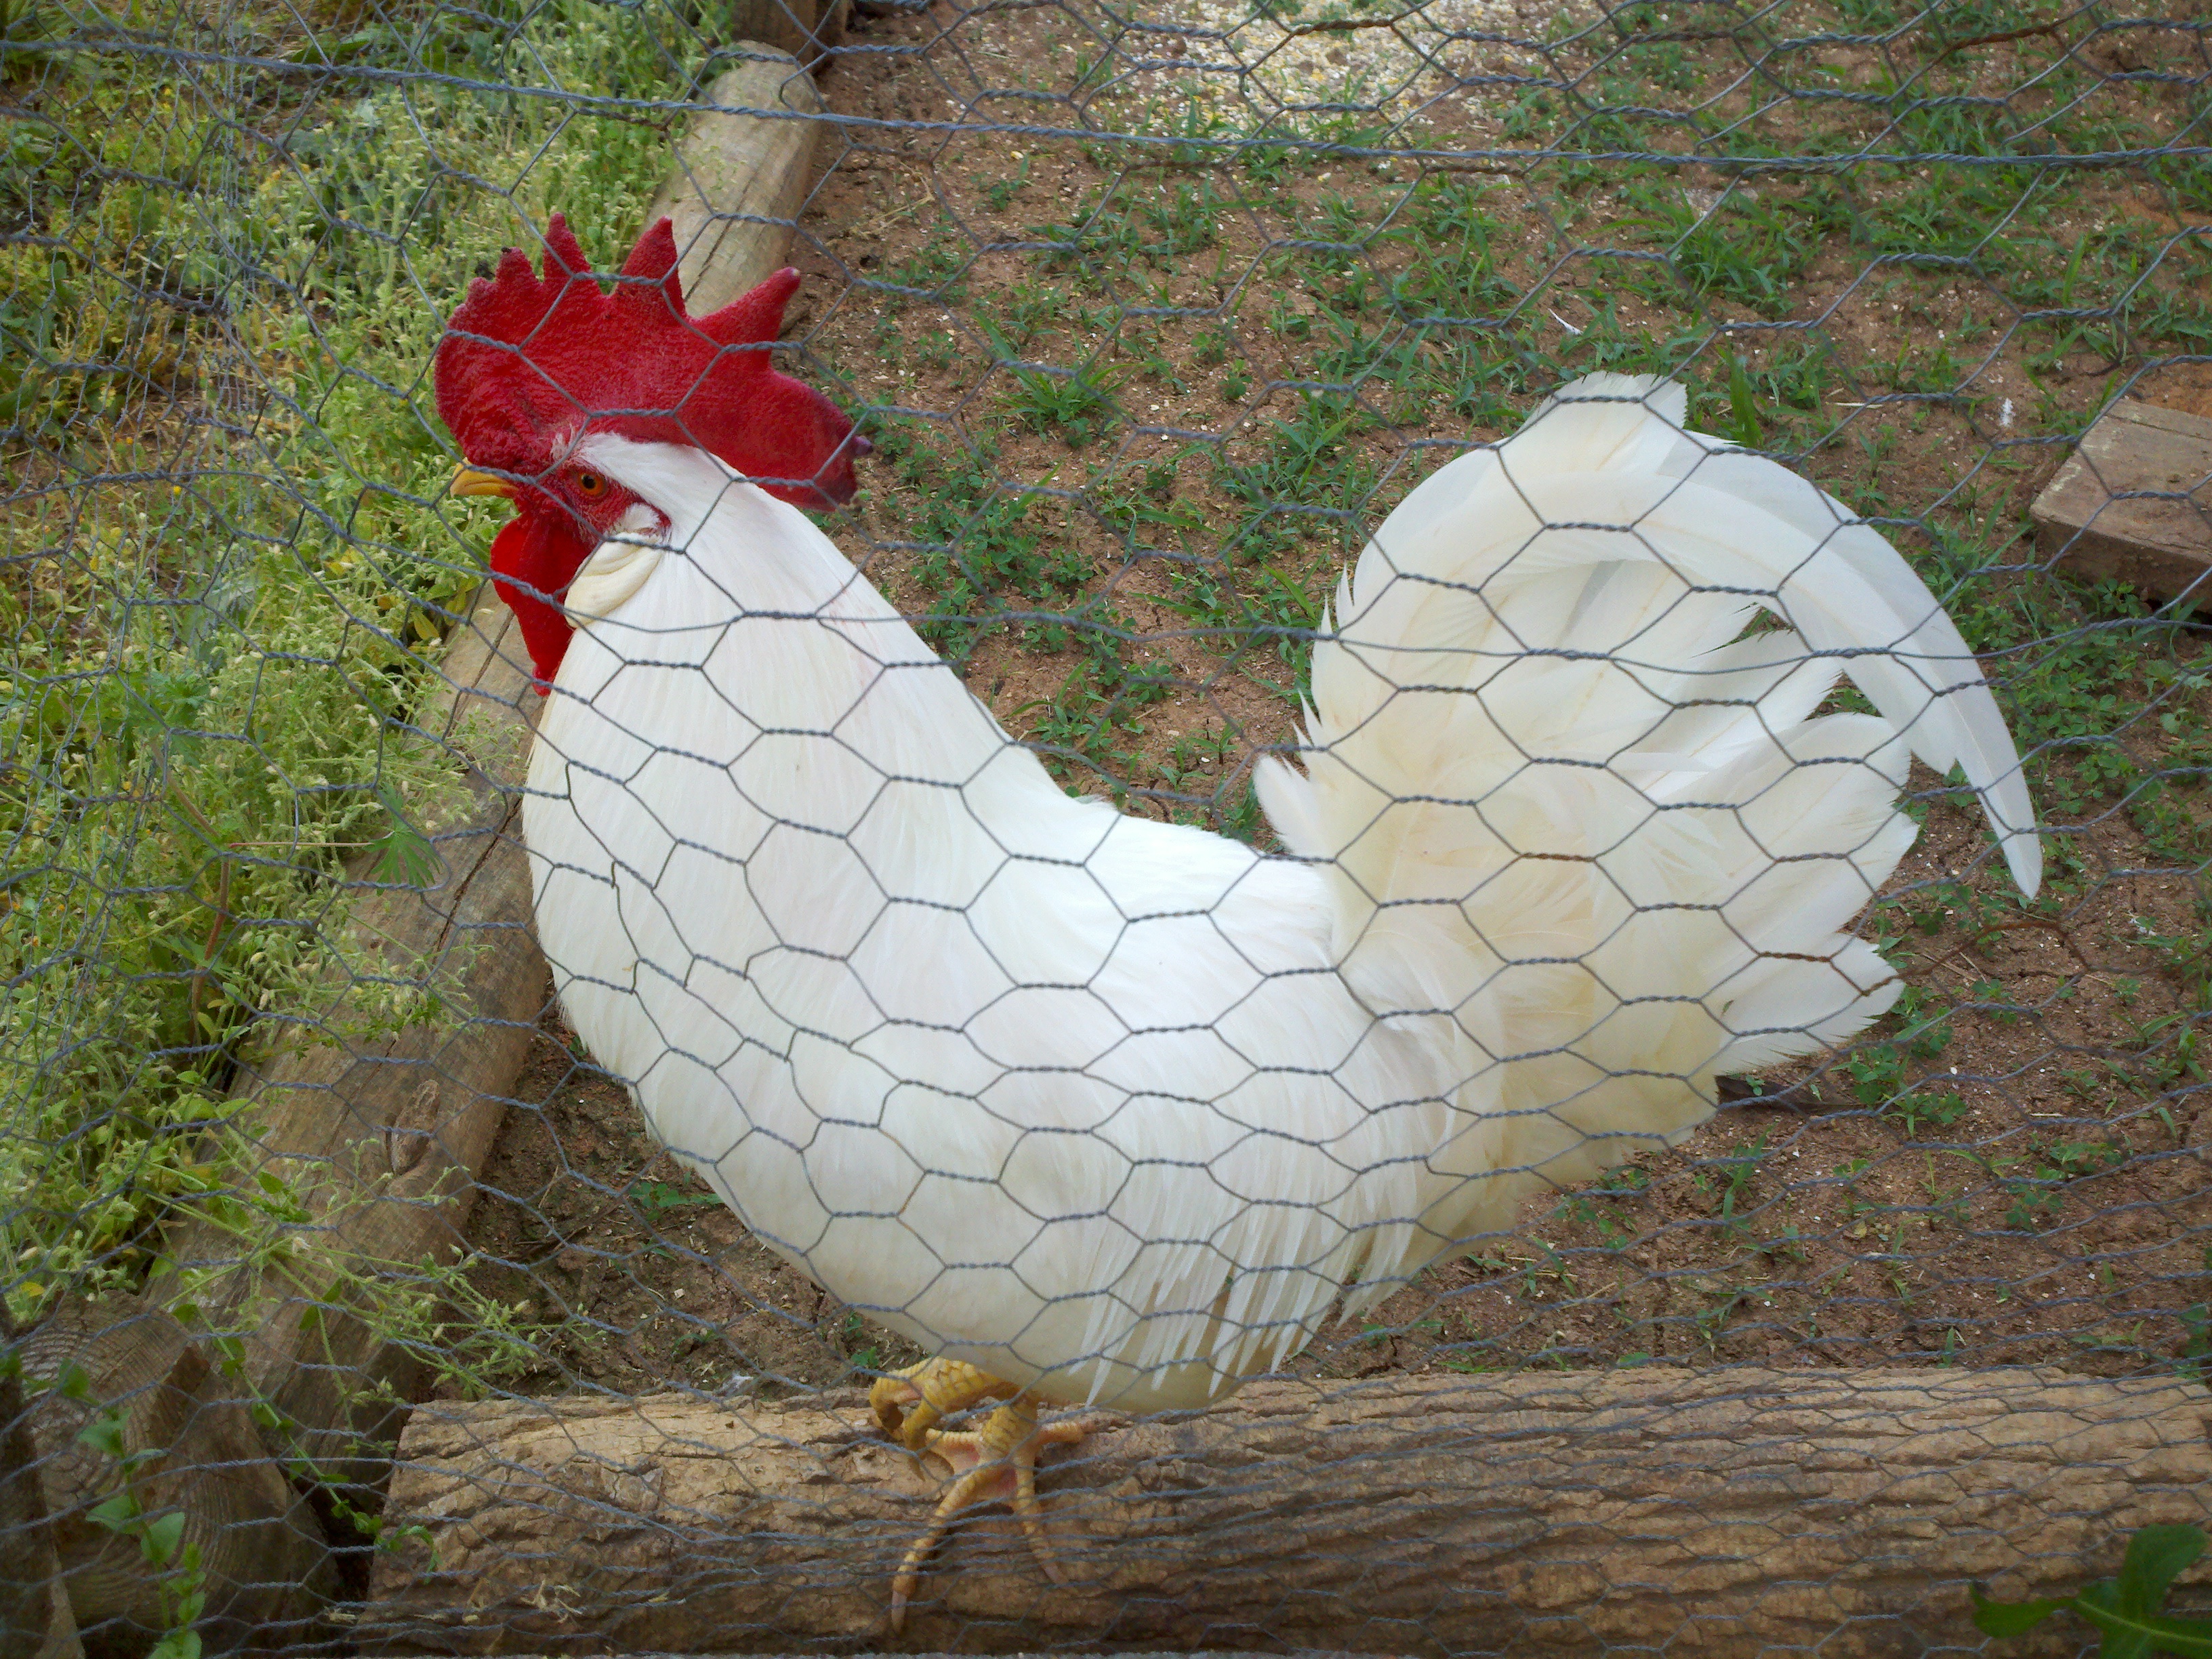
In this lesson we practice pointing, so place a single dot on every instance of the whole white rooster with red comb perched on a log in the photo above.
(1100, 1109)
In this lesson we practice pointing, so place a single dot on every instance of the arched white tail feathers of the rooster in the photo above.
(1567, 797)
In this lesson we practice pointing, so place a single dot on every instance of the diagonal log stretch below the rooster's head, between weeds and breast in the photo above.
(375, 1134)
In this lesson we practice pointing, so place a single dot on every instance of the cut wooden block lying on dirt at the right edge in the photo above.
(2160, 541)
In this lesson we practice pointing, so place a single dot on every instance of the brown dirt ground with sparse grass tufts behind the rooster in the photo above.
(1125, 359)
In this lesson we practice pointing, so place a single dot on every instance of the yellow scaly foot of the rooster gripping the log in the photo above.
(992, 1465)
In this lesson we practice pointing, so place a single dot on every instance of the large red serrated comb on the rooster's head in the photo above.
(532, 359)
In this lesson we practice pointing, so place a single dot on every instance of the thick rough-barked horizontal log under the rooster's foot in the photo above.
(1671, 1512)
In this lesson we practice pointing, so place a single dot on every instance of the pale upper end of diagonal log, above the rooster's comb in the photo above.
(740, 180)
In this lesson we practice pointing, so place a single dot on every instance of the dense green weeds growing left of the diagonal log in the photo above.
(196, 786)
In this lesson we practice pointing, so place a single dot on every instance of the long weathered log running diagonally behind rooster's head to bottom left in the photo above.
(371, 1138)
